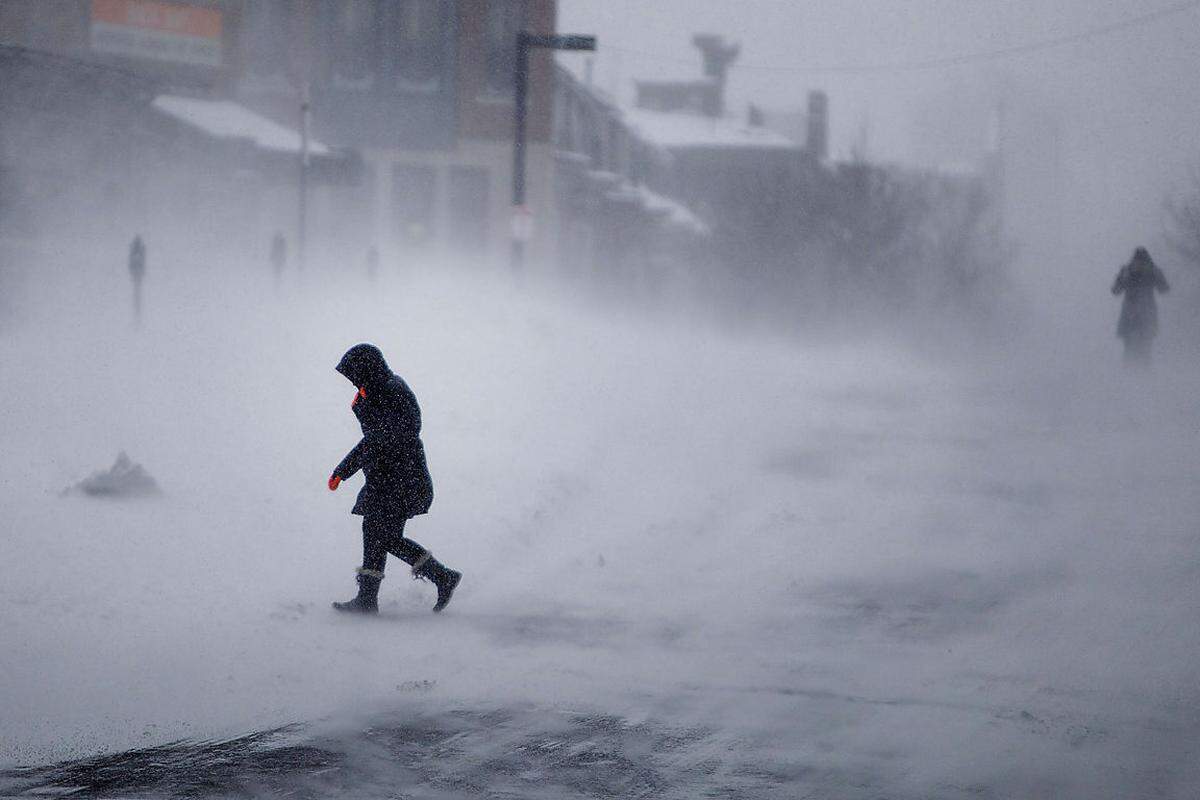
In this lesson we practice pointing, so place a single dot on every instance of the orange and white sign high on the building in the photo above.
(164, 32)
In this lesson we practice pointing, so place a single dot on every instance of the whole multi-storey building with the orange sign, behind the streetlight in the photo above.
(422, 91)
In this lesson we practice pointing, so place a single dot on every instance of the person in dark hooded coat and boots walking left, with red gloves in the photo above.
(398, 479)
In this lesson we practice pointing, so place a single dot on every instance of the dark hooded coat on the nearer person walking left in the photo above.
(391, 454)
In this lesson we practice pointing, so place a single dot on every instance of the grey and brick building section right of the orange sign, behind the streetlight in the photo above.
(423, 89)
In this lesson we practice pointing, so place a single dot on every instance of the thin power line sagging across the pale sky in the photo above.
(953, 61)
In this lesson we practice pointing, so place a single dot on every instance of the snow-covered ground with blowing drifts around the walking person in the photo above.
(695, 564)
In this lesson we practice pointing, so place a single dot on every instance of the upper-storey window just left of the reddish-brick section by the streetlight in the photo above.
(413, 45)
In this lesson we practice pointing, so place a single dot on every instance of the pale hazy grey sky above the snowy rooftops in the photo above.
(1108, 124)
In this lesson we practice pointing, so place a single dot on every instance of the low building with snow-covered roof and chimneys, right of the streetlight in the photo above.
(673, 193)
